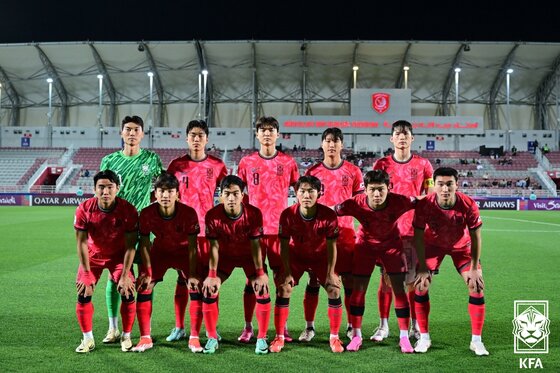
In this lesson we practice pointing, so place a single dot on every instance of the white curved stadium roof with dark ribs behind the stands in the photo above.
(253, 77)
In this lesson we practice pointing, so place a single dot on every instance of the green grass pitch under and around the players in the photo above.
(39, 331)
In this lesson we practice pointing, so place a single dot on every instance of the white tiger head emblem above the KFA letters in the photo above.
(531, 326)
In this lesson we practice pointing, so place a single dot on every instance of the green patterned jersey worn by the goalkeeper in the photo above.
(136, 173)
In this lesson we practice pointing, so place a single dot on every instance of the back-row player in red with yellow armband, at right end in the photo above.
(410, 175)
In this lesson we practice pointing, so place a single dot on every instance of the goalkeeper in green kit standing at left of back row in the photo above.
(136, 169)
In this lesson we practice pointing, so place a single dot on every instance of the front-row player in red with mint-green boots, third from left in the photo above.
(234, 229)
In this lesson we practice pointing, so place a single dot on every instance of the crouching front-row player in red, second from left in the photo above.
(175, 227)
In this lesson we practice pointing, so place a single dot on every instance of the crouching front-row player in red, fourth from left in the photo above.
(308, 232)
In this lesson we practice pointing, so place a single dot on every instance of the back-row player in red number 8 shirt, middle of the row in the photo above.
(268, 175)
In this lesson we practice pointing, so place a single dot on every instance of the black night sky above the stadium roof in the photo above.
(103, 20)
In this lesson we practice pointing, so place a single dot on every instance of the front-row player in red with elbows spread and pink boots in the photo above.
(378, 211)
